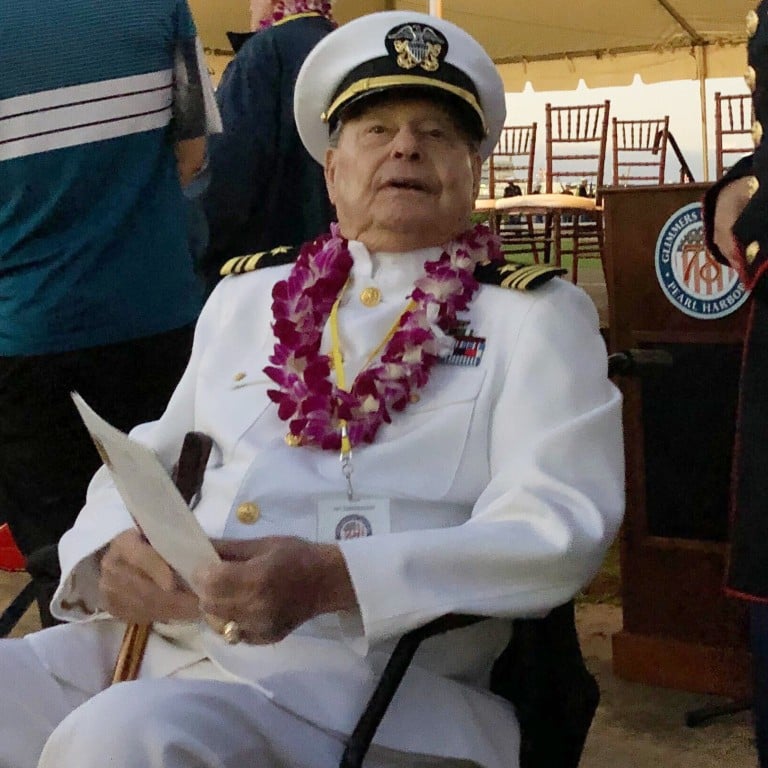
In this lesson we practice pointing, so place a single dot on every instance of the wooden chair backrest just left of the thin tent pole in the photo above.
(640, 151)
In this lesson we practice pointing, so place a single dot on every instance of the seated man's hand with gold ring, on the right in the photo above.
(271, 586)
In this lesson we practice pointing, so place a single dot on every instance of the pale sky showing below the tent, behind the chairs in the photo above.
(679, 99)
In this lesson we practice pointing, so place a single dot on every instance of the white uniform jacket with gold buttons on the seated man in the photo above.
(505, 481)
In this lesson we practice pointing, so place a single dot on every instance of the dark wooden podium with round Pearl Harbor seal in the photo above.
(666, 292)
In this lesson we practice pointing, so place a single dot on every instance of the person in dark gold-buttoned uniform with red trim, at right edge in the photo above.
(736, 221)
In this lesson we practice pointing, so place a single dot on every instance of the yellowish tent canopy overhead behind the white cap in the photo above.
(553, 43)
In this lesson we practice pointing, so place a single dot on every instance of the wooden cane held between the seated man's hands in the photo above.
(188, 477)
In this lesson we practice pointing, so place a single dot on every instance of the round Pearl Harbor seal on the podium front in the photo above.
(690, 277)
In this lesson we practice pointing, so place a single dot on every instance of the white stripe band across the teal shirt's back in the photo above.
(82, 114)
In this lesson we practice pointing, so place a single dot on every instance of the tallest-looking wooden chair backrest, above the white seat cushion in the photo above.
(576, 137)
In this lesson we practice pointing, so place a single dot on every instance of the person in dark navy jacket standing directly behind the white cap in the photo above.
(265, 189)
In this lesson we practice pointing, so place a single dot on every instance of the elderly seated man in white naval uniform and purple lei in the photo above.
(483, 434)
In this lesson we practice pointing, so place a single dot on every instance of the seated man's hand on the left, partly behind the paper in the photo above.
(139, 587)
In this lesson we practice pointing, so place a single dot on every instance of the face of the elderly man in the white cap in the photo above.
(403, 176)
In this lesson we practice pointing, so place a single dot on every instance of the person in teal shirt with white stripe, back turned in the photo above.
(103, 115)
